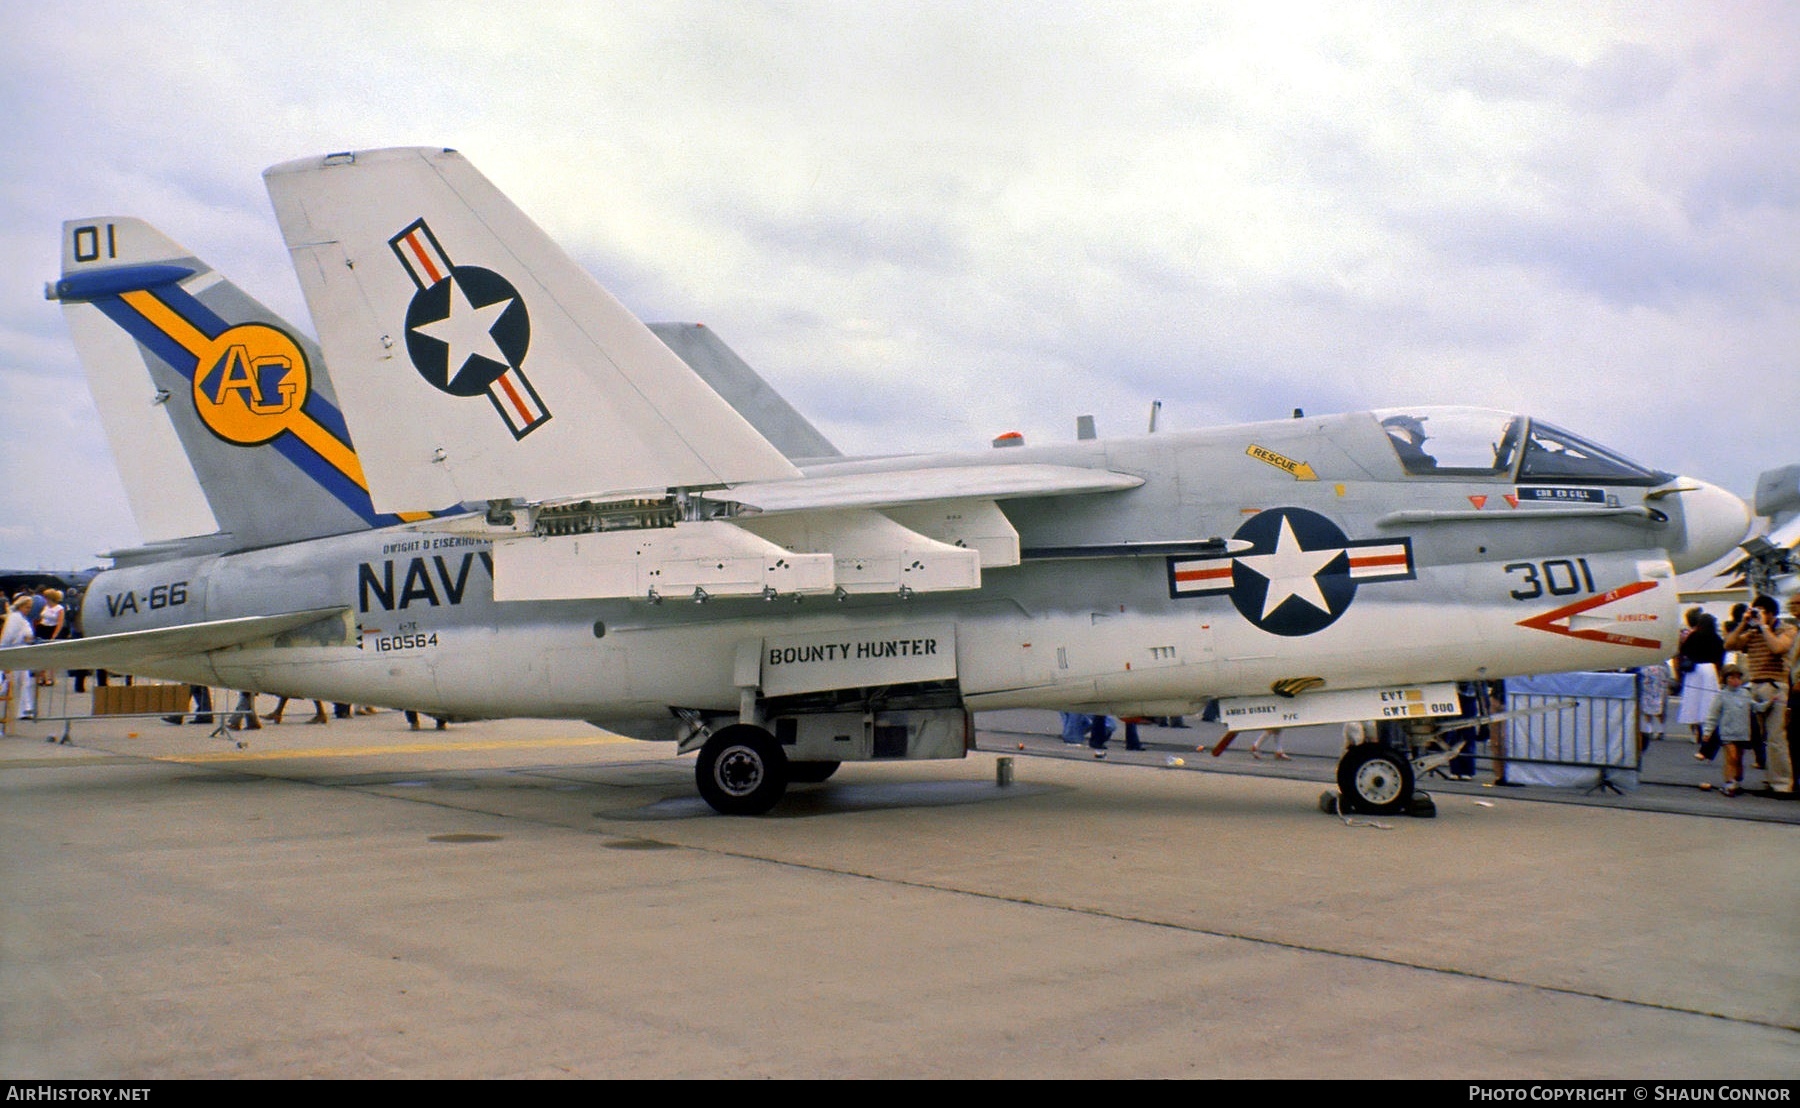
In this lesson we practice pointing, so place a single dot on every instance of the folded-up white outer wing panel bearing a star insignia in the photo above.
(517, 373)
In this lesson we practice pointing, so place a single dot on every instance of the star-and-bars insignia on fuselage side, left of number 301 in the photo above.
(1299, 575)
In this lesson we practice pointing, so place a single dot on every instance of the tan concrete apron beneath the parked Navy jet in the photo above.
(535, 900)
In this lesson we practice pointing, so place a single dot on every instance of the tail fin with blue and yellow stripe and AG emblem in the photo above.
(220, 415)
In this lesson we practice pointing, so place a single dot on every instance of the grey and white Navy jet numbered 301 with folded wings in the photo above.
(514, 499)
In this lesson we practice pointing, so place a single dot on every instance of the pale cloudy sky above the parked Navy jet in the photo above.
(930, 224)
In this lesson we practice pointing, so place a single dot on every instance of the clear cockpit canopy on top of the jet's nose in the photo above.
(1506, 447)
